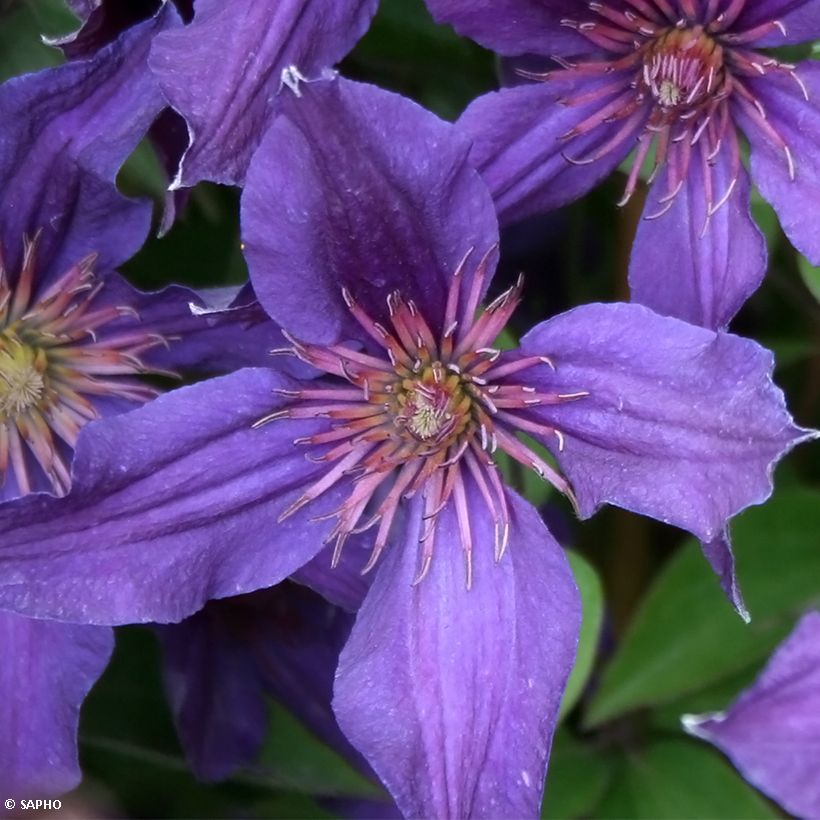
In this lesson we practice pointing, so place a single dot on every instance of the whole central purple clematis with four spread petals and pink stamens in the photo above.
(372, 240)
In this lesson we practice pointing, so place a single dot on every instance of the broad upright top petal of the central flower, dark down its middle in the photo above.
(359, 187)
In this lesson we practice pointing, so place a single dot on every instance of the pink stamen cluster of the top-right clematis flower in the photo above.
(679, 72)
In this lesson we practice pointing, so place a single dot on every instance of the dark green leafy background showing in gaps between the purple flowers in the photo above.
(659, 639)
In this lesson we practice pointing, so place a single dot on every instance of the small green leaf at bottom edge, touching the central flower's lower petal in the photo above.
(577, 779)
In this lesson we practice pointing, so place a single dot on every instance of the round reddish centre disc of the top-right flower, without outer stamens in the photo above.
(683, 68)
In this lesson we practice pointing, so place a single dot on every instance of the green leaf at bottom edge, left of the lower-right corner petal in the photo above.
(679, 779)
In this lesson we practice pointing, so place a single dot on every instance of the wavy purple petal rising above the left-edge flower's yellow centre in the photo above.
(66, 132)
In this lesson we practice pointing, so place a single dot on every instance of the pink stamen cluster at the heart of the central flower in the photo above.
(421, 416)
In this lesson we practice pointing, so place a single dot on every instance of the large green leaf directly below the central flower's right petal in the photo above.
(686, 636)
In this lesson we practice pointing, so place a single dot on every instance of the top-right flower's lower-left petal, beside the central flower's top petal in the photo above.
(520, 145)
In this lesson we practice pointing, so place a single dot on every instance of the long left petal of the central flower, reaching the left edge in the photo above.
(182, 497)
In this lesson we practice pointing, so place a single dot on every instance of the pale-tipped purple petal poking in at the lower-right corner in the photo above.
(772, 731)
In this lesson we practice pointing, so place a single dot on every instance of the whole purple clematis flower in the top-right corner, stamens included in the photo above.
(678, 81)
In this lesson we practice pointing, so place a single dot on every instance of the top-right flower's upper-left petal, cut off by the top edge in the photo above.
(515, 27)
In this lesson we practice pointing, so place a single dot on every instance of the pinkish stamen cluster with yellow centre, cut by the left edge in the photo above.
(53, 366)
